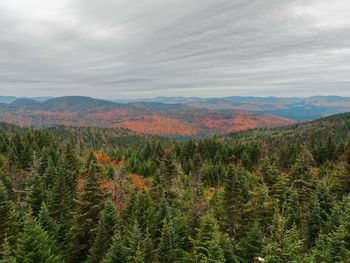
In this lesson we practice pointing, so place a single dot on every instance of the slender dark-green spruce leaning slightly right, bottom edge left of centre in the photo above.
(105, 233)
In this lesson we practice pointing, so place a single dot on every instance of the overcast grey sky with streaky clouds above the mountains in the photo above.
(206, 48)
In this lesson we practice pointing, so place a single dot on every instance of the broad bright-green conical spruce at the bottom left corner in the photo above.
(34, 244)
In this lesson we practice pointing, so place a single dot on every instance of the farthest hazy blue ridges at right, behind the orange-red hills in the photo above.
(299, 109)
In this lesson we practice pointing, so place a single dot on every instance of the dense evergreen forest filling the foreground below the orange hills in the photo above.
(102, 195)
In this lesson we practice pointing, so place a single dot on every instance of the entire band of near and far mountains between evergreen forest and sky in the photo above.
(171, 116)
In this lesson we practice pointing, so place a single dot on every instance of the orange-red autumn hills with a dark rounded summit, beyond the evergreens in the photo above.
(174, 120)
